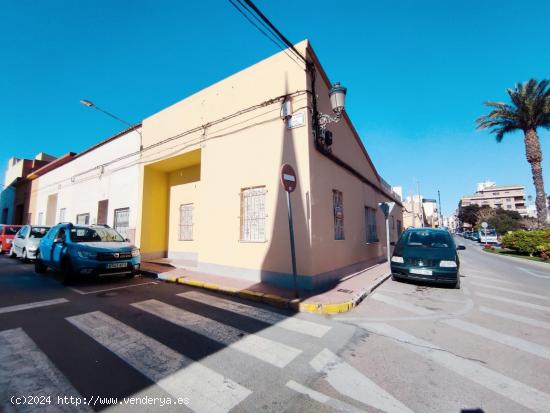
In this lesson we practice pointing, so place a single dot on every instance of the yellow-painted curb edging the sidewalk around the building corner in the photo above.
(275, 300)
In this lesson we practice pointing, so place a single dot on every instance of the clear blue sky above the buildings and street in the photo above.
(417, 73)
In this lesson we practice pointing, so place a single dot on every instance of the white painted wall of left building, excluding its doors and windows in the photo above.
(80, 184)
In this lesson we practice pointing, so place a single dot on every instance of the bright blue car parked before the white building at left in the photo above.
(85, 251)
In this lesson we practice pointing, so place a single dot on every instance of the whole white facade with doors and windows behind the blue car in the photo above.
(99, 186)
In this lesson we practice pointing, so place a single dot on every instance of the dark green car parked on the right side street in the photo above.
(426, 254)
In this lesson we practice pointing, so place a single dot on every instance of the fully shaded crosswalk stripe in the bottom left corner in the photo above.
(26, 371)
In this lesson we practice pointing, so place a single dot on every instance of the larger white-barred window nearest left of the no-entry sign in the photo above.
(253, 215)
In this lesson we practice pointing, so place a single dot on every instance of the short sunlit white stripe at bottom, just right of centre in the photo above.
(351, 383)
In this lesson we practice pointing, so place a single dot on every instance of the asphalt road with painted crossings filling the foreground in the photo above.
(406, 348)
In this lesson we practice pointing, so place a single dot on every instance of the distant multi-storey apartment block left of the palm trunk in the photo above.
(508, 197)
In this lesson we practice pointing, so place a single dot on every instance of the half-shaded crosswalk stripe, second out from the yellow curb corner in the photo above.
(270, 351)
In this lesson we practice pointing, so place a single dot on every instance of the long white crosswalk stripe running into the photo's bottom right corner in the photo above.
(505, 386)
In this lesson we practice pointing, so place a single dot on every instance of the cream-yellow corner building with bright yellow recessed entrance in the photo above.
(210, 190)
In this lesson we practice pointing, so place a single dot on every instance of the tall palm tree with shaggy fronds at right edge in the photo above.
(529, 110)
